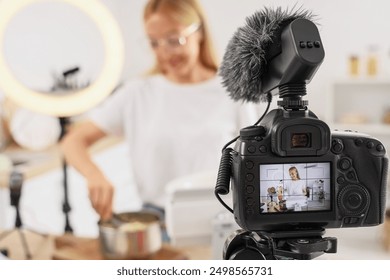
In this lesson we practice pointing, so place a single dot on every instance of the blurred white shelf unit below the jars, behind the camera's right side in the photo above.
(359, 104)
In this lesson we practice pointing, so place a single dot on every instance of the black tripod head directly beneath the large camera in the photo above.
(304, 244)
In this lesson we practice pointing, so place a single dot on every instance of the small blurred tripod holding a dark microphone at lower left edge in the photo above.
(15, 186)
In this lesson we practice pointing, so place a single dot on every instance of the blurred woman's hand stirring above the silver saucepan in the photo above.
(101, 193)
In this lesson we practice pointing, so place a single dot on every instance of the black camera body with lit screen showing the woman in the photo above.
(292, 173)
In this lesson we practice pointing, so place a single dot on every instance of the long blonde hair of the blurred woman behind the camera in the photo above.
(186, 12)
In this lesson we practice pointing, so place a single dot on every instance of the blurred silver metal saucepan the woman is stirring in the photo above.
(133, 235)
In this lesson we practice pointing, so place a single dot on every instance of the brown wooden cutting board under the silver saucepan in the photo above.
(70, 247)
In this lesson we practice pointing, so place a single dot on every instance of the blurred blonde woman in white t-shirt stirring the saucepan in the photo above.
(175, 121)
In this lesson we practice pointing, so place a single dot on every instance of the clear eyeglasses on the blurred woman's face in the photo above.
(174, 42)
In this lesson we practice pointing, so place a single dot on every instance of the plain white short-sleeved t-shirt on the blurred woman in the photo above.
(172, 130)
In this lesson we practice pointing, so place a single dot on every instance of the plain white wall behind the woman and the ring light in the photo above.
(52, 37)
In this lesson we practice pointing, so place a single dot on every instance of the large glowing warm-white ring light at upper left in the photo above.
(81, 100)
